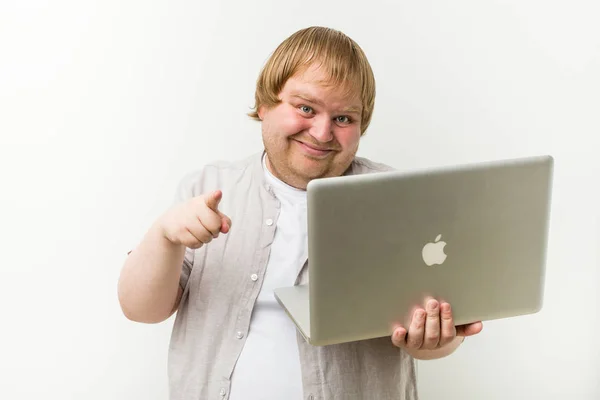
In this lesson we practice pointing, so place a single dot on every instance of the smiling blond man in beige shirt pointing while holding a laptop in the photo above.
(239, 230)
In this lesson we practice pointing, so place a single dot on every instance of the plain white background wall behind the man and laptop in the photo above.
(104, 105)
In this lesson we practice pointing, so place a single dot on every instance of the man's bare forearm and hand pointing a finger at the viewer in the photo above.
(149, 289)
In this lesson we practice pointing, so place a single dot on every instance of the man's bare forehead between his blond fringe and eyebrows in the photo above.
(315, 84)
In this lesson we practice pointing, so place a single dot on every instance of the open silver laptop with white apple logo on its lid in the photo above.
(474, 235)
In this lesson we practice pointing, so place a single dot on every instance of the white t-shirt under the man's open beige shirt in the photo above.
(269, 365)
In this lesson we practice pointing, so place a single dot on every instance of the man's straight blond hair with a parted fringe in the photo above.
(341, 57)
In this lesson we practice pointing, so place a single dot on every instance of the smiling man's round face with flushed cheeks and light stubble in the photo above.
(313, 133)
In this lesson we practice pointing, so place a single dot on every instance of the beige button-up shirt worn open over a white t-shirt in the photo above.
(221, 282)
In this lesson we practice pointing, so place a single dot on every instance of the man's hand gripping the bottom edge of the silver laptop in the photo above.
(432, 328)
